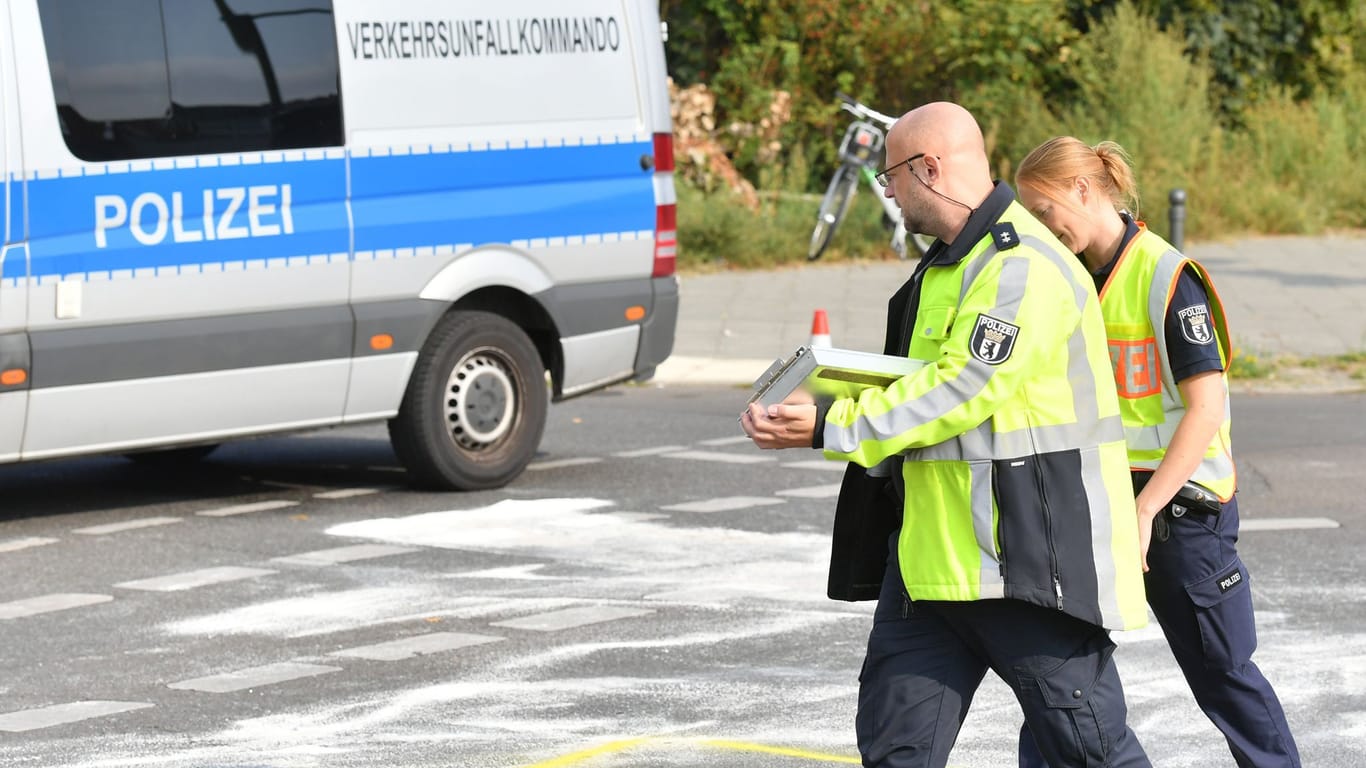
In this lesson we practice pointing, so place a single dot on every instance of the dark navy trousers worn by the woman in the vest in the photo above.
(1200, 592)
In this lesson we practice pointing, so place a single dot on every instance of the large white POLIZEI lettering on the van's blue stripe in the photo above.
(226, 214)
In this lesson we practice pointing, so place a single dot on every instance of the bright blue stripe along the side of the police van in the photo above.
(398, 202)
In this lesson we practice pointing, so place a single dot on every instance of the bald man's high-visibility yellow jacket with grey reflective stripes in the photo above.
(1016, 475)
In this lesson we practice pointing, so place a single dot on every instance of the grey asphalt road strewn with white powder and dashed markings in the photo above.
(650, 594)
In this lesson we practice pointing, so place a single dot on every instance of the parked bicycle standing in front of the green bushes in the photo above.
(861, 158)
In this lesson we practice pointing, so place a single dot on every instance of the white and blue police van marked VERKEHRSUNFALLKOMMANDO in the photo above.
(238, 218)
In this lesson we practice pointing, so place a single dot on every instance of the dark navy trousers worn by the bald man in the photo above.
(927, 659)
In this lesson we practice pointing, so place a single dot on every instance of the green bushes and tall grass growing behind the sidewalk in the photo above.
(1155, 76)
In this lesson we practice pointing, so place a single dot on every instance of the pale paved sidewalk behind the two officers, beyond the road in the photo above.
(1283, 296)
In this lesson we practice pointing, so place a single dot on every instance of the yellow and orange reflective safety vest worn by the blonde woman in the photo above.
(1134, 301)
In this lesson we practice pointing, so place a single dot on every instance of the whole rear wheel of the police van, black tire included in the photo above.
(475, 411)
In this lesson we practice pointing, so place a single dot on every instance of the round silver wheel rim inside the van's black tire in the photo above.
(480, 400)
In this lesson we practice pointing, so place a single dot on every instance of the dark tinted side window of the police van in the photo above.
(161, 79)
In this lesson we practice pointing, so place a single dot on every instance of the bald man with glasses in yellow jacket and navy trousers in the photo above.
(987, 504)
